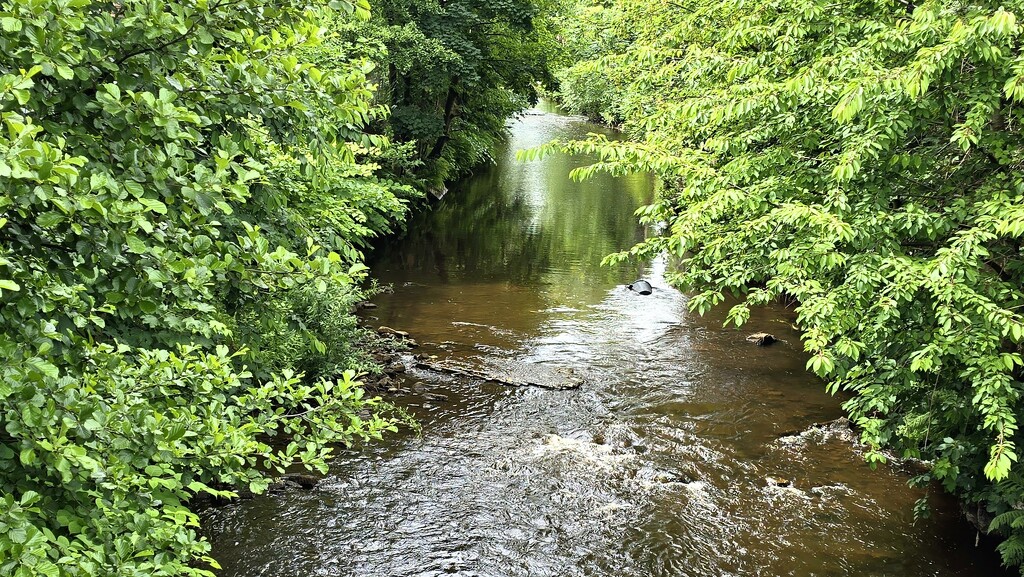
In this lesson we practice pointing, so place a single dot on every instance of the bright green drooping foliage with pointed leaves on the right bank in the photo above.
(864, 158)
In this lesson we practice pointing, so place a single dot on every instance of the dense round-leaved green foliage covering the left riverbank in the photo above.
(185, 191)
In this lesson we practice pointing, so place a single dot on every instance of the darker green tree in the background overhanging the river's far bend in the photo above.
(453, 72)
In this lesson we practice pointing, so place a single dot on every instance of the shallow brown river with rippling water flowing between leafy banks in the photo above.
(658, 466)
